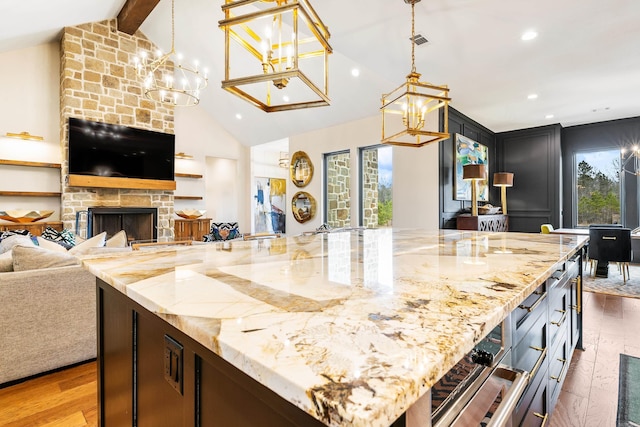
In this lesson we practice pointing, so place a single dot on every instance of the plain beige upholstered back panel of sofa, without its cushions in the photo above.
(47, 320)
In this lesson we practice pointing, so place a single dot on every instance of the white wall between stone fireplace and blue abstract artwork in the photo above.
(200, 135)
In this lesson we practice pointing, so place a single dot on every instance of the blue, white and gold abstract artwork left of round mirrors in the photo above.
(270, 205)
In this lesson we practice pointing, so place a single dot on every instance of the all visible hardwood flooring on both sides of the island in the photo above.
(589, 396)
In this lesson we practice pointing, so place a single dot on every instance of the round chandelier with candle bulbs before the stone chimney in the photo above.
(167, 78)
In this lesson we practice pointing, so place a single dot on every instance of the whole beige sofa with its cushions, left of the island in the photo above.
(47, 306)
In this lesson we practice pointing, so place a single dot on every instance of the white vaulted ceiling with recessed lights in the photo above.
(584, 66)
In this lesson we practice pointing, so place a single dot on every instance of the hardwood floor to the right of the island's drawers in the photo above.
(589, 396)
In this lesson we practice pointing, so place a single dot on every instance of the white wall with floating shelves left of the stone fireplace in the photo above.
(30, 88)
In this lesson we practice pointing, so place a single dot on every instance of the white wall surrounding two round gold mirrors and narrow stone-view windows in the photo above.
(415, 174)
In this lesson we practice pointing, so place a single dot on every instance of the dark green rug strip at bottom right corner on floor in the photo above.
(629, 392)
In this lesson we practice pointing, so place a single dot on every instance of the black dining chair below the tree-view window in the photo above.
(610, 244)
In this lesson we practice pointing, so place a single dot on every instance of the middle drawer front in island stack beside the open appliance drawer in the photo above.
(530, 353)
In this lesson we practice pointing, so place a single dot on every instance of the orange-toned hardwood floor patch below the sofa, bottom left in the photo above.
(63, 399)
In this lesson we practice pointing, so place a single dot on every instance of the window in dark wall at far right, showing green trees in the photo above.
(598, 187)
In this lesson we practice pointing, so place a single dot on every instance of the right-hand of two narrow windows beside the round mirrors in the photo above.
(376, 188)
